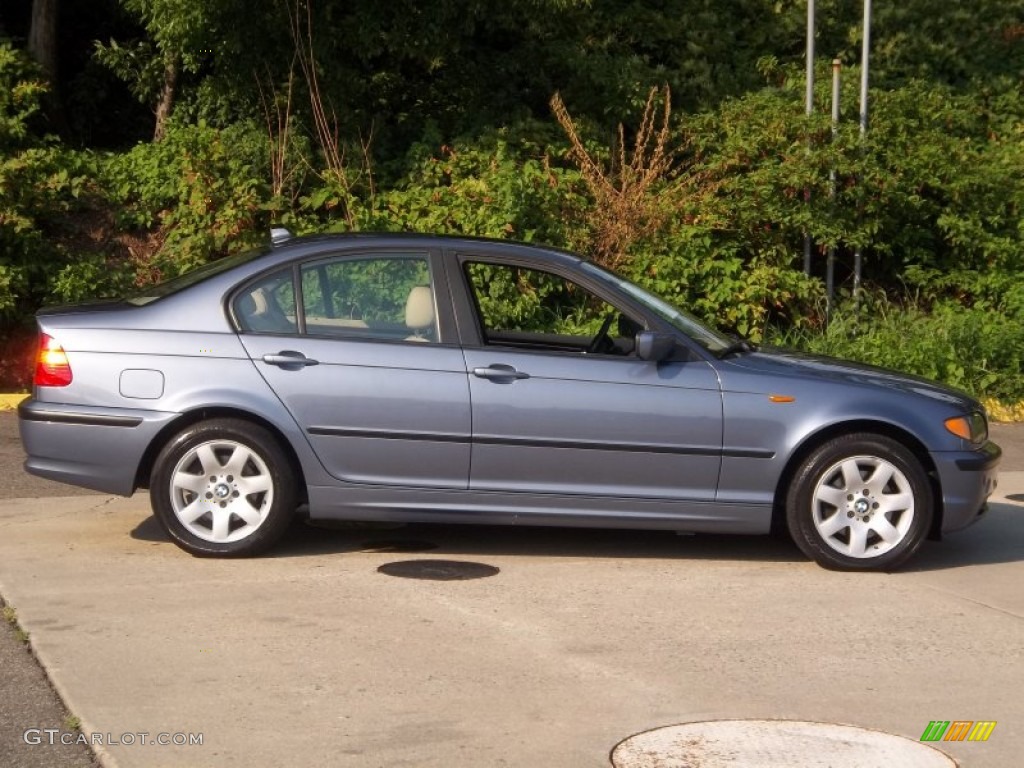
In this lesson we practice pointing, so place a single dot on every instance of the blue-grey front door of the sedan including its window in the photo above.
(563, 405)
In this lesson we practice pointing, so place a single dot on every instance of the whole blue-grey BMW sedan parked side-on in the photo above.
(430, 379)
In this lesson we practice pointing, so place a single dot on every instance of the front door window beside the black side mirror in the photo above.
(531, 309)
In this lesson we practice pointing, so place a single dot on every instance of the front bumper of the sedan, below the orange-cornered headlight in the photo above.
(967, 480)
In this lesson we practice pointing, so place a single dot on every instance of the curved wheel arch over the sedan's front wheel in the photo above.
(815, 441)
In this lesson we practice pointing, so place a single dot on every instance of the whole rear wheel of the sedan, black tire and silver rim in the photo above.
(224, 489)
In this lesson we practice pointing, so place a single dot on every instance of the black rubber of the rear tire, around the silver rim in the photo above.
(258, 440)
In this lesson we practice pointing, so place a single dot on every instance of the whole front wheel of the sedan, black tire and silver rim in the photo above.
(861, 502)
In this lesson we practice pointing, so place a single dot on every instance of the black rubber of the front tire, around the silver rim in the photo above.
(800, 501)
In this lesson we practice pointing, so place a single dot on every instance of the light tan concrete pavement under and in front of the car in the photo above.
(312, 657)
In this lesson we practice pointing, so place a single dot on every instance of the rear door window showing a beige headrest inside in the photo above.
(382, 297)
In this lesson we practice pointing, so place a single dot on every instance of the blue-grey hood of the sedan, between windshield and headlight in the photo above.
(817, 368)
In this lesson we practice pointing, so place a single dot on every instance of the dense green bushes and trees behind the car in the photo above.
(440, 118)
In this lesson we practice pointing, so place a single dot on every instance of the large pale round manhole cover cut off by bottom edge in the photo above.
(773, 744)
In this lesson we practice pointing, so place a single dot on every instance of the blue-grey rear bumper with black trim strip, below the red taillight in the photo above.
(94, 448)
